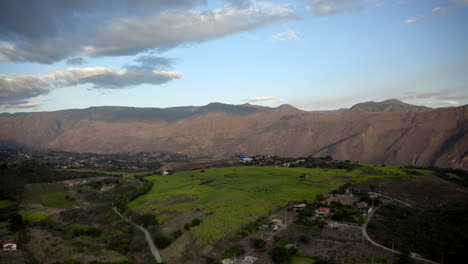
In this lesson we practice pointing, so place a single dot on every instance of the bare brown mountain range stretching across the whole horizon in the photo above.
(432, 137)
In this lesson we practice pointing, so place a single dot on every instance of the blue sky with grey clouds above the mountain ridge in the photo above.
(312, 54)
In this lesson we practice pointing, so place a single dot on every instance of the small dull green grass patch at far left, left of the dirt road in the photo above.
(49, 195)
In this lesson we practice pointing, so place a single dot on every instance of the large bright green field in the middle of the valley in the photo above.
(232, 197)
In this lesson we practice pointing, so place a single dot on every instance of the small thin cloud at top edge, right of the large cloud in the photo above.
(323, 8)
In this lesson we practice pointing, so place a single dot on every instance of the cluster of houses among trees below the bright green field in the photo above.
(341, 209)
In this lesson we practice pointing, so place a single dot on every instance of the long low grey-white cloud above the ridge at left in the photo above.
(17, 89)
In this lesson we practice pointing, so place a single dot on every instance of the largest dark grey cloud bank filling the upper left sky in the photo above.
(85, 28)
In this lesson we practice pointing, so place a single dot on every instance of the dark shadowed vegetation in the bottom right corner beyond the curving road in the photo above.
(429, 232)
